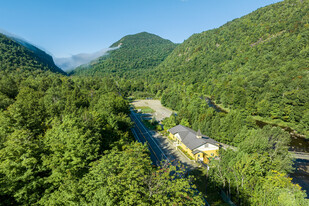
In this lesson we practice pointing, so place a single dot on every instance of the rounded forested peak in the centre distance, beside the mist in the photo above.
(137, 52)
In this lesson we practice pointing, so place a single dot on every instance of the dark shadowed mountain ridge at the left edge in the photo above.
(17, 54)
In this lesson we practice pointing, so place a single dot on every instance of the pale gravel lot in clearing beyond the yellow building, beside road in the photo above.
(161, 112)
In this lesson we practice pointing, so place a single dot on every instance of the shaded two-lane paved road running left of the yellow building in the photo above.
(142, 134)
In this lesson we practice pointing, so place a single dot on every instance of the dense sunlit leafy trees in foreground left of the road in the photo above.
(67, 141)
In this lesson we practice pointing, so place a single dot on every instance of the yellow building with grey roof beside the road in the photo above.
(198, 146)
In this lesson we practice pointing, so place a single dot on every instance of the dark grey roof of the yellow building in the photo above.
(189, 138)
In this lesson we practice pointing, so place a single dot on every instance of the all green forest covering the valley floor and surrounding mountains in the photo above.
(65, 139)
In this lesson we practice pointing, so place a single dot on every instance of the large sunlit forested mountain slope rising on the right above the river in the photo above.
(258, 63)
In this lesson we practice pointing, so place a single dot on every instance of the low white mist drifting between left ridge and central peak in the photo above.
(70, 63)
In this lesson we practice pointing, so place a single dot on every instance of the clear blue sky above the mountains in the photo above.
(66, 27)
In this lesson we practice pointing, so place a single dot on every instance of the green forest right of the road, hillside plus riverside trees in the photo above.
(254, 68)
